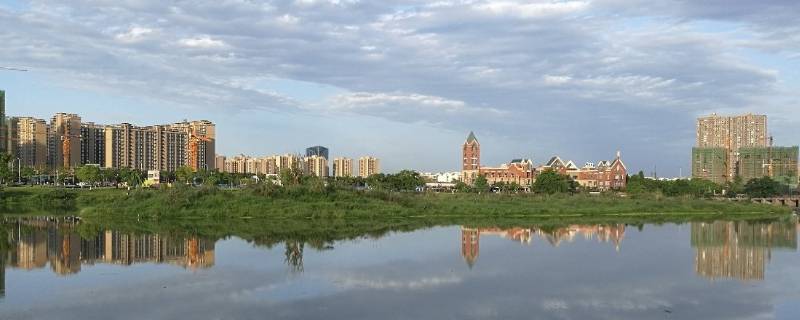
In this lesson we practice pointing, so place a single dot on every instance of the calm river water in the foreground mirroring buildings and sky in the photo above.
(720, 270)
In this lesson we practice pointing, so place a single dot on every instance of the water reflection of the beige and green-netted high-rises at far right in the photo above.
(739, 250)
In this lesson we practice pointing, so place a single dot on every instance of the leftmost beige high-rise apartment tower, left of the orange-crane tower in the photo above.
(29, 143)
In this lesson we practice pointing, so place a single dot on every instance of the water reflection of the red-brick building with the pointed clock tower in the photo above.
(471, 237)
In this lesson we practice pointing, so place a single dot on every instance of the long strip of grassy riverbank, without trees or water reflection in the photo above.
(304, 203)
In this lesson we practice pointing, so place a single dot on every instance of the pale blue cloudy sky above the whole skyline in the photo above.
(407, 80)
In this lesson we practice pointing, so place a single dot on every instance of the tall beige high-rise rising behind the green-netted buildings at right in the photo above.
(731, 134)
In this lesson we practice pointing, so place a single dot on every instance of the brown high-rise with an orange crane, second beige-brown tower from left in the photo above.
(65, 141)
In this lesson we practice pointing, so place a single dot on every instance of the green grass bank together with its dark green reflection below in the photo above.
(320, 217)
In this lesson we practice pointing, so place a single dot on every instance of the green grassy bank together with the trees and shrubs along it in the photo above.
(387, 197)
